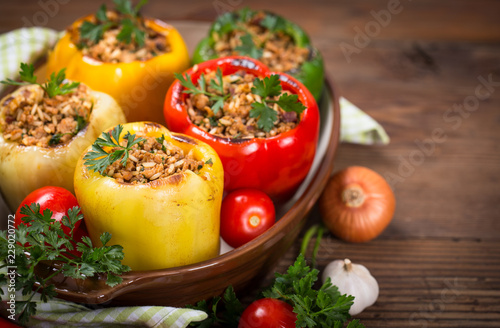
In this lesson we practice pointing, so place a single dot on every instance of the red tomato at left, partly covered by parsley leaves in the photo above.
(59, 201)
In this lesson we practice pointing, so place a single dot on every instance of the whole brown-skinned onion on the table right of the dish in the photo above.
(366, 213)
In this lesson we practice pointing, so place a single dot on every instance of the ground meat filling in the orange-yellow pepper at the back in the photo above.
(111, 50)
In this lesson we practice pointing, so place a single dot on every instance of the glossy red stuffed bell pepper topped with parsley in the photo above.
(264, 125)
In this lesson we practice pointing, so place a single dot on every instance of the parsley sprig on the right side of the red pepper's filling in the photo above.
(267, 88)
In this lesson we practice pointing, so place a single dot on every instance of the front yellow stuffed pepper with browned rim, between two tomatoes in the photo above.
(158, 193)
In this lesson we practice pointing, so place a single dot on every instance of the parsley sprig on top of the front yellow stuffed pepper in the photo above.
(98, 159)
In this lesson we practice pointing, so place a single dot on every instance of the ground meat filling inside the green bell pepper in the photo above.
(279, 50)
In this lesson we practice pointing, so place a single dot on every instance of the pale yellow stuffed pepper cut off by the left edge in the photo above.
(43, 130)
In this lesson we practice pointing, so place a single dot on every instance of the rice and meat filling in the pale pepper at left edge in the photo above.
(31, 118)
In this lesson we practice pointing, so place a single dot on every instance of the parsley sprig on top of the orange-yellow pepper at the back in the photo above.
(131, 26)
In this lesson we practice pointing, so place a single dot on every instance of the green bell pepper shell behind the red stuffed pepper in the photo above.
(310, 73)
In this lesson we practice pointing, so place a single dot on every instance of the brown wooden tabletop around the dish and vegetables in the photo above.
(421, 69)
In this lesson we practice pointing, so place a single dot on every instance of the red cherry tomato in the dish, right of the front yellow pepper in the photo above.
(245, 214)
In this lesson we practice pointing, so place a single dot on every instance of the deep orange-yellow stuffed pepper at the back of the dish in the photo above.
(124, 55)
